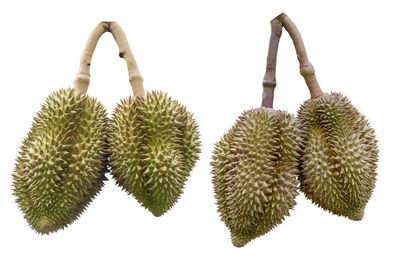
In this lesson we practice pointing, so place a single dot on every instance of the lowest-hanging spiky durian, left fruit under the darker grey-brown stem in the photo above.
(254, 169)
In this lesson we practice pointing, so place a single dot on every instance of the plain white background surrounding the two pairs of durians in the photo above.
(210, 55)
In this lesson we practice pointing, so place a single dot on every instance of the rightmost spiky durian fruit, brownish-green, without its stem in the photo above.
(338, 157)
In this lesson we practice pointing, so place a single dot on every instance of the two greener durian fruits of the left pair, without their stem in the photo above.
(63, 160)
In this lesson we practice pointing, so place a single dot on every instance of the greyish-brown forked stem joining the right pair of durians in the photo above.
(306, 68)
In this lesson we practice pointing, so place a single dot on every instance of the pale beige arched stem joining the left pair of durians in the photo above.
(82, 79)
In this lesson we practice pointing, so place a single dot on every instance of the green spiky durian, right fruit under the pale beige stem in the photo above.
(154, 146)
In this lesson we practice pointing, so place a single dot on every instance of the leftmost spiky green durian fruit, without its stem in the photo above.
(63, 160)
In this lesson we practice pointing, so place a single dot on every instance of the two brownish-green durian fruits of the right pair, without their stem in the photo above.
(330, 147)
